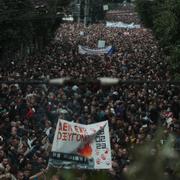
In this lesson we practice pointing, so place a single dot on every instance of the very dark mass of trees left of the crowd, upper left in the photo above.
(25, 28)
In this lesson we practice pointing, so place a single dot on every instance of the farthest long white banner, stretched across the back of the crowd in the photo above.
(122, 25)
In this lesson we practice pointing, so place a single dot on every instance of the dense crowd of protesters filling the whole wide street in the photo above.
(29, 113)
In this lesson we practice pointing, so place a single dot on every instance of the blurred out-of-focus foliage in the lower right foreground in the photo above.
(156, 159)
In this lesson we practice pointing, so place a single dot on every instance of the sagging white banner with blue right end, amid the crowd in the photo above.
(99, 51)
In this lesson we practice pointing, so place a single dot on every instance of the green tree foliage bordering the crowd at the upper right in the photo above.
(163, 16)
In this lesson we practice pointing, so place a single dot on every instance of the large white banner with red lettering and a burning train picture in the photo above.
(81, 146)
